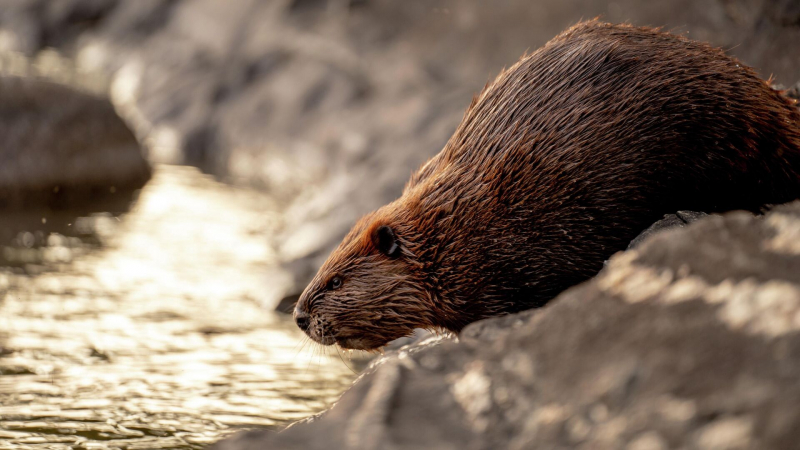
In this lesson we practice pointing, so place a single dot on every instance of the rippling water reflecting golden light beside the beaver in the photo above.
(144, 330)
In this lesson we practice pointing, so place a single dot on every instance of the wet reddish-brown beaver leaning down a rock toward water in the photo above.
(557, 164)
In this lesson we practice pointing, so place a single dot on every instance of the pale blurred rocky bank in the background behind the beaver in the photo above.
(331, 104)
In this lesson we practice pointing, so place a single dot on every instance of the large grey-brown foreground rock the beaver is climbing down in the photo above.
(691, 340)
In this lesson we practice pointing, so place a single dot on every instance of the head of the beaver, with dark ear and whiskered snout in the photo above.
(369, 291)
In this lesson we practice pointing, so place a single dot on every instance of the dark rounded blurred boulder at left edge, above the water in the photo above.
(61, 146)
